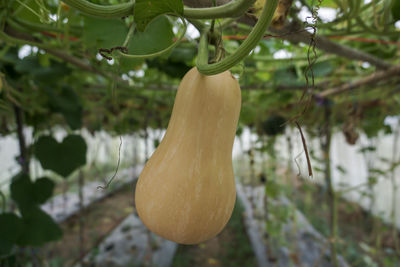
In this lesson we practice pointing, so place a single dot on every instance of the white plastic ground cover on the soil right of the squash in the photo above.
(309, 246)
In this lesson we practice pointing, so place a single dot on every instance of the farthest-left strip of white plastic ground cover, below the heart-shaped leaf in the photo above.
(62, 207)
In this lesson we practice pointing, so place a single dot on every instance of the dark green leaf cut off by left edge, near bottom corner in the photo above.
(11, 227)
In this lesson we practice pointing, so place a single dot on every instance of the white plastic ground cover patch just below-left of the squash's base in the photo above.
(132, 244)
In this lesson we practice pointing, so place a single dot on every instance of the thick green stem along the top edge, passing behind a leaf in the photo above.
(231, 9)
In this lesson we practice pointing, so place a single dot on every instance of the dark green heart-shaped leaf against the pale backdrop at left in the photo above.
(62, 158)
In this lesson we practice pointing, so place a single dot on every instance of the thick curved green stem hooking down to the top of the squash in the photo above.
(250, 43)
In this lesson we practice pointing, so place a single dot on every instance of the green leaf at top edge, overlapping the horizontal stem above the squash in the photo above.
(146, 10)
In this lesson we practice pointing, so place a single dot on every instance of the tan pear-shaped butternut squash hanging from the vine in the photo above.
(186, 191)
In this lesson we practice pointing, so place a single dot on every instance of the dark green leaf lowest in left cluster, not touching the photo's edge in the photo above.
(39, 228)
